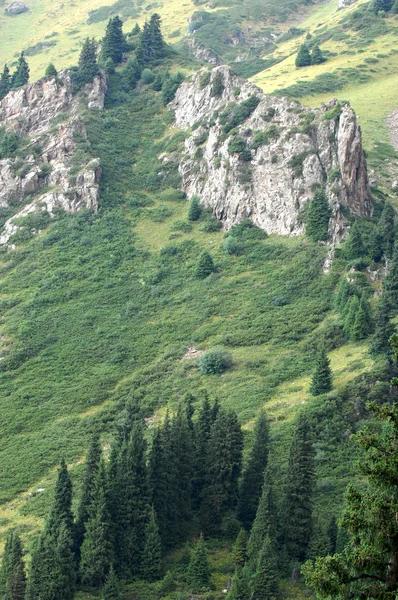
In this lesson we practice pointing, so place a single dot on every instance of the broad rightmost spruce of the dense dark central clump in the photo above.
(223, 464)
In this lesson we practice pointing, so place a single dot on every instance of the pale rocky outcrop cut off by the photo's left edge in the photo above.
(52, 168)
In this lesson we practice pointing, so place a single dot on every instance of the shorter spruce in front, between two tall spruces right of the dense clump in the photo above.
(264, 524)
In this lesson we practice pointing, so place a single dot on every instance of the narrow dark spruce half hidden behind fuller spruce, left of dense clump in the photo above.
(92, 463)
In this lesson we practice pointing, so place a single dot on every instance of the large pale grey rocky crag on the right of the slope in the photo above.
(299, 150)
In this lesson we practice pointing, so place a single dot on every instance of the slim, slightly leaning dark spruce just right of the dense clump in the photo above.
(253, 475)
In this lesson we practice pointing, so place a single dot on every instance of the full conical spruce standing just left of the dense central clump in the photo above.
(96, 550)
